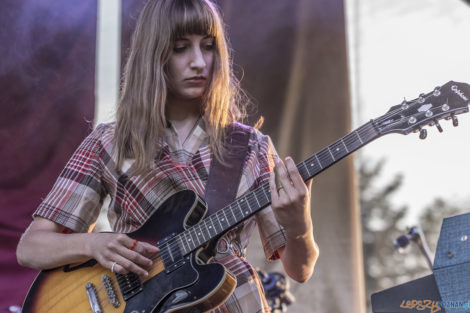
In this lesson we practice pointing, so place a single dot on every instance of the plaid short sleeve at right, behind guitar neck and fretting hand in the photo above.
(271, 233)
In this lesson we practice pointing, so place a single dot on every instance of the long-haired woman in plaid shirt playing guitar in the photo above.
(178, 96)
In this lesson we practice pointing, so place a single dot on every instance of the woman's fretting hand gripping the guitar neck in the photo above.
(291, 198)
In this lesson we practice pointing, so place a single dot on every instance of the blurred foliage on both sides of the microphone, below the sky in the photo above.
(383, 221)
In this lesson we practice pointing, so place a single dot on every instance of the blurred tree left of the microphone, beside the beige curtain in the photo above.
(382, 222)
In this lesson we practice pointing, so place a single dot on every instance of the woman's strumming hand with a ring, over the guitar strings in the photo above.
(122, 254)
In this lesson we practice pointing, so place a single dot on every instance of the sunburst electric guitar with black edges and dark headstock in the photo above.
(181, 279)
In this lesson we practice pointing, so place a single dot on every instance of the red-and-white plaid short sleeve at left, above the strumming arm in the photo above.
(76, 197)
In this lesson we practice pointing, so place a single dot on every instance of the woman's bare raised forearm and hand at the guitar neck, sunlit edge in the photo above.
(291, 206)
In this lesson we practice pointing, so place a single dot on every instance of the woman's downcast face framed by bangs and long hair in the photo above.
(190, 66)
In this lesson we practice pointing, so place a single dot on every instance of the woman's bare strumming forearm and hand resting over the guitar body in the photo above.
(44, 246)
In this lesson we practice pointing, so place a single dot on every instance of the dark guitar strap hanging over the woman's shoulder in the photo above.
(223, 181)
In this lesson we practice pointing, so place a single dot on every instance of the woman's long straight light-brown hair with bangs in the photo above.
(141, 113)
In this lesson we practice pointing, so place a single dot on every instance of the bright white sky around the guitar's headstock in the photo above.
(400, 49)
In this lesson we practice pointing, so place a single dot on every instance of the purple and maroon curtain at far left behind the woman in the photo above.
(47, 78)
